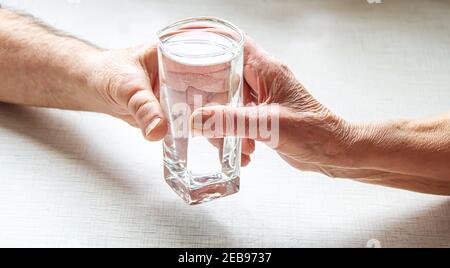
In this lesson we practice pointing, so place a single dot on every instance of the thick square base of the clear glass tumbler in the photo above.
(199, 189)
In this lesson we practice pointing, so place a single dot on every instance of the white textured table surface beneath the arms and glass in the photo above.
(80, 179)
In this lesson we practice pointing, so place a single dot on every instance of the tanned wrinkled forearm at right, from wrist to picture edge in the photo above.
(419, 148)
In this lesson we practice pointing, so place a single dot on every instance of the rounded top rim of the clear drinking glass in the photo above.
(240, 42)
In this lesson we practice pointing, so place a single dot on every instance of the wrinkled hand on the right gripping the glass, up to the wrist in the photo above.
(310, 137)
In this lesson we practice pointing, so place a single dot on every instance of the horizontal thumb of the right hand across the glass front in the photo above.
(260, 122)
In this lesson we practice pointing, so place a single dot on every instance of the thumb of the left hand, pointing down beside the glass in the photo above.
(148, 114)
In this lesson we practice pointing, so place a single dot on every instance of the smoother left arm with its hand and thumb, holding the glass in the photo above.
(40, 66)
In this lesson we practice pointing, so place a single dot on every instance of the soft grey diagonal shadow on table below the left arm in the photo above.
(170, 219)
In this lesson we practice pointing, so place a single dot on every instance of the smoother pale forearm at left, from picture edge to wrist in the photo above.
(42, 68)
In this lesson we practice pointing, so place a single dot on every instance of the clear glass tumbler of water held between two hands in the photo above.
(200, 64)
